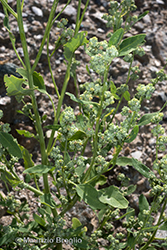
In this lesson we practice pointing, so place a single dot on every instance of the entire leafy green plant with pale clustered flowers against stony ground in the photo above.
(64, 158)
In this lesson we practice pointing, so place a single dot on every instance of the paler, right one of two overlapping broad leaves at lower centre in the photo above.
(113, 197)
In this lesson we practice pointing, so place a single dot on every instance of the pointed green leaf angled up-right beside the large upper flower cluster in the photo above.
(130, 44)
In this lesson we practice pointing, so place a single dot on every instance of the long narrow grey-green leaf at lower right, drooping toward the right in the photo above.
(141, 168)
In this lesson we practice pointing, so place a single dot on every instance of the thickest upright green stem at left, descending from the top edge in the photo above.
(34, 103)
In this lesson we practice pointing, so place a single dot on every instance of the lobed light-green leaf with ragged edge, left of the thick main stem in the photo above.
(14, 86)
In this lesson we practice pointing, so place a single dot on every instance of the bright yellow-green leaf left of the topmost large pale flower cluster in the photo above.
(70, 47)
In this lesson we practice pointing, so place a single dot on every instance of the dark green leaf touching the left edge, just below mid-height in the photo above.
(8, 143)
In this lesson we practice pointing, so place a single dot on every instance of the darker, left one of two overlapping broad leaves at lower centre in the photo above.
(90, 195)
